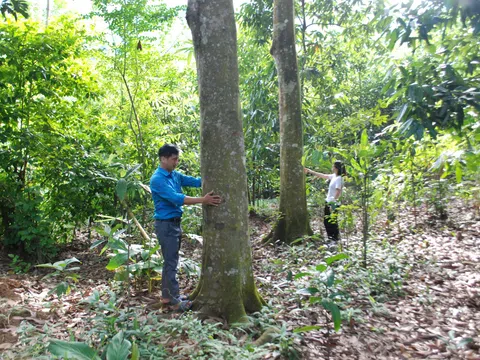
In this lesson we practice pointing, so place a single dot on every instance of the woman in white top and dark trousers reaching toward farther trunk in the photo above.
(334, 192)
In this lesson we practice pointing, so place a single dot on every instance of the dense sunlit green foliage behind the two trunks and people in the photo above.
(390, 88)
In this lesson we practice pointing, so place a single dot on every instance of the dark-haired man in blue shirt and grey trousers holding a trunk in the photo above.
(166, 185)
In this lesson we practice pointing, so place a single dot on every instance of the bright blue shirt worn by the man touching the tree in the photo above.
(167, 192)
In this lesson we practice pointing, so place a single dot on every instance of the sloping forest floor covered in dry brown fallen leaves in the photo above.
(419, 297)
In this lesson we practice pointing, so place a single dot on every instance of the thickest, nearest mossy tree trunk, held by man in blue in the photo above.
(226, 288)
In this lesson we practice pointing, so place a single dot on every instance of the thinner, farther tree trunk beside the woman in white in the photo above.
(293, 222)
